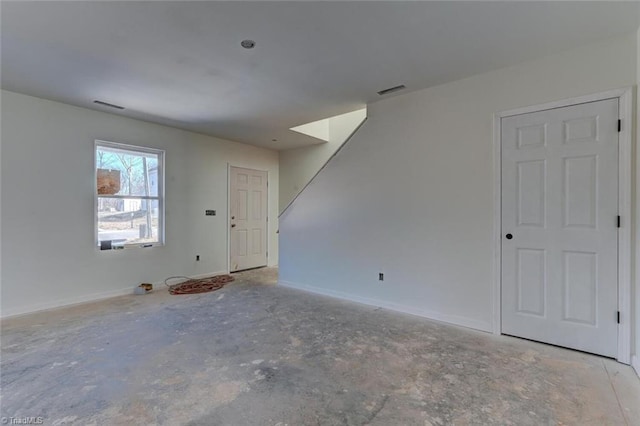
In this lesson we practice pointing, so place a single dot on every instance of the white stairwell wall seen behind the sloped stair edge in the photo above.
(299, 165)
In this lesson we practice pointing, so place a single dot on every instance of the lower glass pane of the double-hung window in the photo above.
(128, 221)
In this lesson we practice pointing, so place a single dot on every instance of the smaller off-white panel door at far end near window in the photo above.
(247, 218)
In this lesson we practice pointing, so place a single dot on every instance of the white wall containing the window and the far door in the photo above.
(49, 257)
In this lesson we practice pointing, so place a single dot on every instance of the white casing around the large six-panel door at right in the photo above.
(625, 97)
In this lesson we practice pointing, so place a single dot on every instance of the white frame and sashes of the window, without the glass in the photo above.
(98, 143)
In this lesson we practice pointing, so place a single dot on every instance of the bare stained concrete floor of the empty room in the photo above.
(257, 354)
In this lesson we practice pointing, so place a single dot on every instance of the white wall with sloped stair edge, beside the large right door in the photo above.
(411, 194)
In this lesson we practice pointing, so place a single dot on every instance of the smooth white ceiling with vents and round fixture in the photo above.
(181, 63)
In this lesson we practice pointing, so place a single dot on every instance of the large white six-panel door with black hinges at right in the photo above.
(559, 226)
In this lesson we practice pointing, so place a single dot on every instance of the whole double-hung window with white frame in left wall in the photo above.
(129, 196)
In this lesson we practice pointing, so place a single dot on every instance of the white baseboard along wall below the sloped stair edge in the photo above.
(437, 316)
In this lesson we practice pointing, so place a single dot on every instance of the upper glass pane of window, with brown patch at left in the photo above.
(124, 172)
